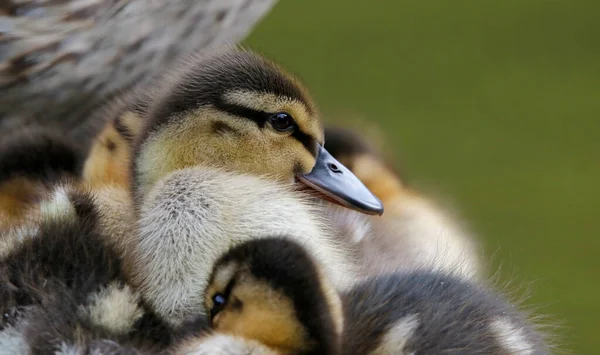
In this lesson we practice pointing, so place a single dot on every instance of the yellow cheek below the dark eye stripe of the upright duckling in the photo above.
(210, 137)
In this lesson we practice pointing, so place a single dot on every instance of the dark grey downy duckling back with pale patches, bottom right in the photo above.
(423, 312)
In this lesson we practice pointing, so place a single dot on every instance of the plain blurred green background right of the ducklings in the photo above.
(492, 104)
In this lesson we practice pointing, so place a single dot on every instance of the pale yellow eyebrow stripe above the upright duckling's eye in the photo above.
(267, 102)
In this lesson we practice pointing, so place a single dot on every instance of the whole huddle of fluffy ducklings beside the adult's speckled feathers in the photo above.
(208, 218)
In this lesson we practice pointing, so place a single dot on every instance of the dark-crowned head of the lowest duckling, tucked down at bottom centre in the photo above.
(270, 291)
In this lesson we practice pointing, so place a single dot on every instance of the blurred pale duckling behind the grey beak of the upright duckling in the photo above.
(414, 233)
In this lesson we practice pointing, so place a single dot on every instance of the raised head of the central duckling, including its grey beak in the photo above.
(235, 110)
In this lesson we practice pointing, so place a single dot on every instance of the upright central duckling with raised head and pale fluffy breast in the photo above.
(226, 140)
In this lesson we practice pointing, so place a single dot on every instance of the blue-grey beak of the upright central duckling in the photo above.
(338, 183)
